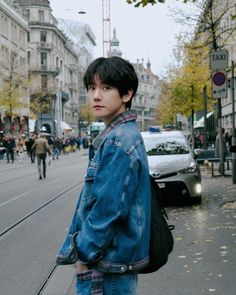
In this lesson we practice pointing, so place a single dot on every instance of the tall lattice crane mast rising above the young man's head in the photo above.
(106, 27)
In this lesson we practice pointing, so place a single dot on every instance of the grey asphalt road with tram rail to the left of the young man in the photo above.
(28, 251)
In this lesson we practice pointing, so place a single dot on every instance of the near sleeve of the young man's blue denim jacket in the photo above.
(113, 190)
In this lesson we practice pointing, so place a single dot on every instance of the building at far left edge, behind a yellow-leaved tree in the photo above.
(14, 98)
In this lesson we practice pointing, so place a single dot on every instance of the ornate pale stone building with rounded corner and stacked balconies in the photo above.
(52, 65)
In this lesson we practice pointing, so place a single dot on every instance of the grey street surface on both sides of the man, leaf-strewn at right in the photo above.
(35, 214)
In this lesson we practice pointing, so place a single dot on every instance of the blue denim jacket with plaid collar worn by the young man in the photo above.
(112, 217)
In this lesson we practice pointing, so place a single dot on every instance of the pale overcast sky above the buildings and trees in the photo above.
(144, 33)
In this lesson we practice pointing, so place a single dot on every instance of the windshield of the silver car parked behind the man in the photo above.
(165, 146)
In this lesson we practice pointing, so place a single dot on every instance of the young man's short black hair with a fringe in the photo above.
(113, 71)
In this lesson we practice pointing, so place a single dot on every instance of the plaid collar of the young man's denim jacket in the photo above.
(120, 119)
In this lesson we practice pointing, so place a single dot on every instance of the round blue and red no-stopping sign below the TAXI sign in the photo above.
(219, 84)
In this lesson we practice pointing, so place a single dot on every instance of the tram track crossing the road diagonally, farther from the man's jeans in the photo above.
(29, 215)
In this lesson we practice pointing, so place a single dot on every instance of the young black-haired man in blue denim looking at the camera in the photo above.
(111, 226)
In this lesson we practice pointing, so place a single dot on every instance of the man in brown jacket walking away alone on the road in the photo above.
(41, 148)
